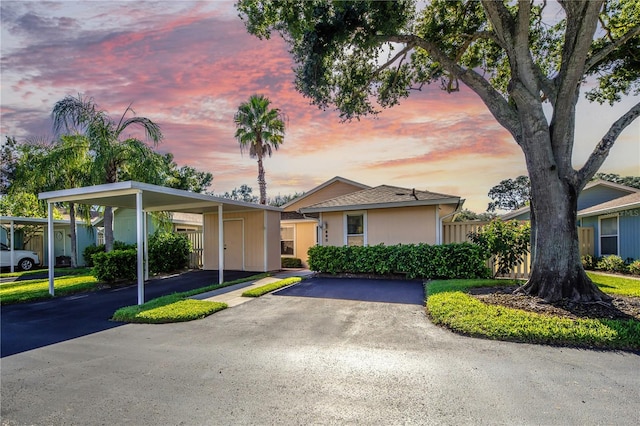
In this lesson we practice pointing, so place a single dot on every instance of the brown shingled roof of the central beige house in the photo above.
(381, 197)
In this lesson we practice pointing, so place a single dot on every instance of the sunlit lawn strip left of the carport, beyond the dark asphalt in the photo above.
(38, 289)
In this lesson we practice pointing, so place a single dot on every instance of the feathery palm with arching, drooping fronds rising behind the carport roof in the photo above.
(111, 156)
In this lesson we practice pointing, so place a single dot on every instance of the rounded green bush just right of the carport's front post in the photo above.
(168, 252)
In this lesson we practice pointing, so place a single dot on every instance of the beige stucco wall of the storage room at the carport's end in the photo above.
(254, 223)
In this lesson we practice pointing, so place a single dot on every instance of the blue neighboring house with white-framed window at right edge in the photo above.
(616, 225)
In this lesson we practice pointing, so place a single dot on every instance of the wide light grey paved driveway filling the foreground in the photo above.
(309, 360)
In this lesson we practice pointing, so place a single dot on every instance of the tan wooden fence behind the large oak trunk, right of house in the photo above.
(458, 232)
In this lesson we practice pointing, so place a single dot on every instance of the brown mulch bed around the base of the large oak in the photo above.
(620, 308)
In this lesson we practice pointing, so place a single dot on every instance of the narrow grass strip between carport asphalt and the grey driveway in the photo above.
(177, 307)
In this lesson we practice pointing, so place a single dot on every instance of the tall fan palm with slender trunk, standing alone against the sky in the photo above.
(260, 130)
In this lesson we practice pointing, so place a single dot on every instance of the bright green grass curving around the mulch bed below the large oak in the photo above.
(448, 304)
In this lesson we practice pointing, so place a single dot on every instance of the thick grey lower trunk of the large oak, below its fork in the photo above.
(557, 271)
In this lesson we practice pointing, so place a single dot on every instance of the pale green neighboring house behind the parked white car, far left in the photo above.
(85, 236)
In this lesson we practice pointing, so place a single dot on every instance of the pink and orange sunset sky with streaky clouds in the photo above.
(188, 65)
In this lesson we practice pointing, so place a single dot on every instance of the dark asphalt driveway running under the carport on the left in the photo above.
(28, 326)
